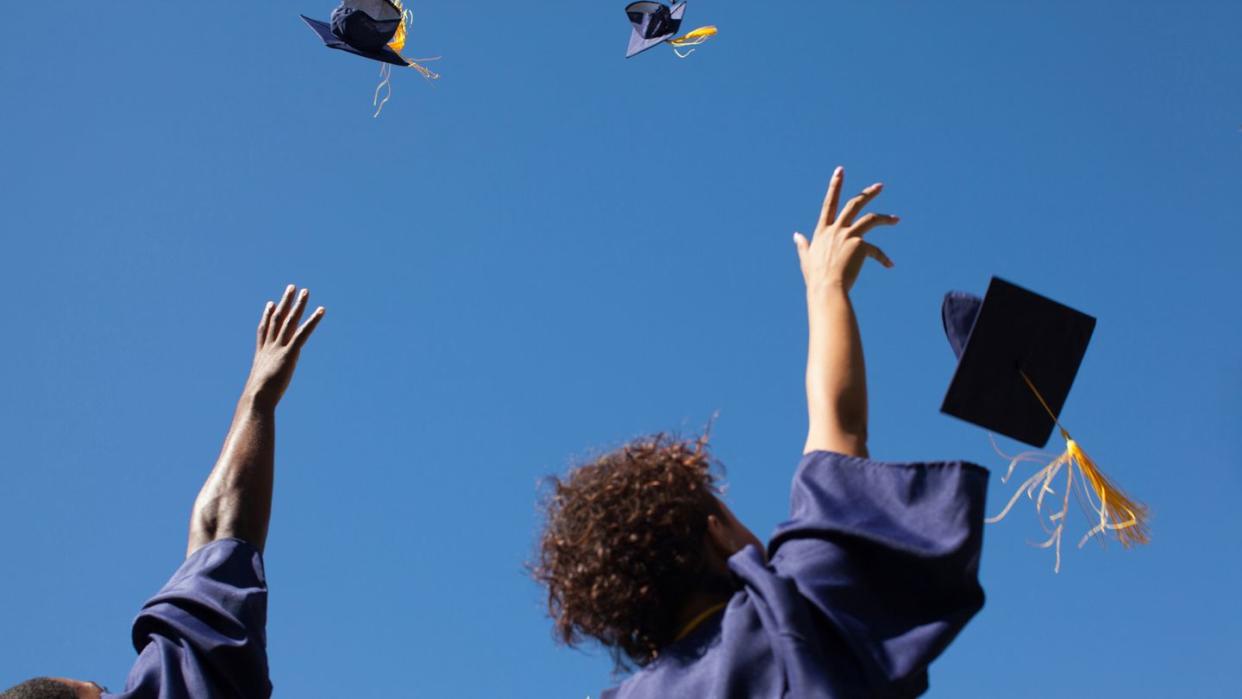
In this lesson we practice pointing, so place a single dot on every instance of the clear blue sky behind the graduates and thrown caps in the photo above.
(553, 250)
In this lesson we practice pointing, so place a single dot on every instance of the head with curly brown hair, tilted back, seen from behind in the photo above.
(637, 546)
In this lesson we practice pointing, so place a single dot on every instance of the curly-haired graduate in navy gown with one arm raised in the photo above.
(866, 584)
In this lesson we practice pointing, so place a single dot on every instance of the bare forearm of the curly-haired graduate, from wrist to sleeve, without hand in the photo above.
(836, 377)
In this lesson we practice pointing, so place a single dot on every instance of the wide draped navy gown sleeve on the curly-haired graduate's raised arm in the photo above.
(887, 554)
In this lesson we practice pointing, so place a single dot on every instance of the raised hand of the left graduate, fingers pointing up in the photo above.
(278, 346)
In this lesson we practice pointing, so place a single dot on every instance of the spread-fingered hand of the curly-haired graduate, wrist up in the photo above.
(836, 251)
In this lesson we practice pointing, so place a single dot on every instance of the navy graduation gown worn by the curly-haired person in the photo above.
(871, 578)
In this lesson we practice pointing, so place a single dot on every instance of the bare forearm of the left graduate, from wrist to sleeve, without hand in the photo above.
(237, 500)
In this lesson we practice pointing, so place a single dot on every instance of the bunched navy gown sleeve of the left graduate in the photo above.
(204, 635)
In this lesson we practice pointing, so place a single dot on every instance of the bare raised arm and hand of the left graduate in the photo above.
(237, 500)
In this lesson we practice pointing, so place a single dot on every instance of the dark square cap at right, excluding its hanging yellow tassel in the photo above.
(1010, 333)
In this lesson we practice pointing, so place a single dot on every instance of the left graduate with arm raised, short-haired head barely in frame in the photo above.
(204, 635)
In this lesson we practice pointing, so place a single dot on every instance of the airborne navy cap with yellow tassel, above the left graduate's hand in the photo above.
(376, 30)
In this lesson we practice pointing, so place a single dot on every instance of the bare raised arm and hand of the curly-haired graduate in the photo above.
(836, 378)
